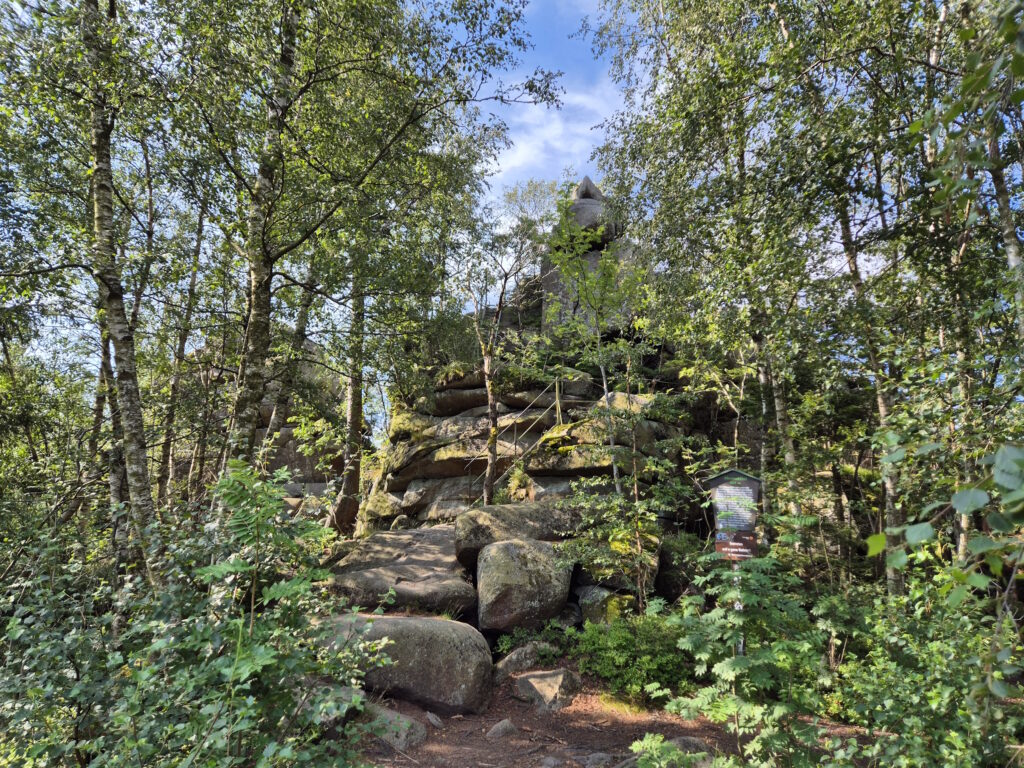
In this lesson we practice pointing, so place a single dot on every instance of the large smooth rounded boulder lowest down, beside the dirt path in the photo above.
(442, 665)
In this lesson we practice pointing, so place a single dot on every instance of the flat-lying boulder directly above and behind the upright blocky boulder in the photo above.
(477, 529)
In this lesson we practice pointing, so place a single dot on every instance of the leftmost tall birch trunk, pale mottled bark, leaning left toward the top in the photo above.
(108, 275)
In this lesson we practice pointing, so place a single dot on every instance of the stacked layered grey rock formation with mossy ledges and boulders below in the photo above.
(501, 567)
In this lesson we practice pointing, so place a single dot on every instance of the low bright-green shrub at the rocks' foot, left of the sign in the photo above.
(634, 654)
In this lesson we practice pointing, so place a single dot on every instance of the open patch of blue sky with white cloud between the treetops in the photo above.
(546, 141)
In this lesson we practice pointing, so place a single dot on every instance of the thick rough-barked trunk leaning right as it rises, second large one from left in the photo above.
(260, 249)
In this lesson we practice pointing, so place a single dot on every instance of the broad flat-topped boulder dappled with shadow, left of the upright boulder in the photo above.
(419, 566)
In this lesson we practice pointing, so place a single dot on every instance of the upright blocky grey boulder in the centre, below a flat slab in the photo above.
(520, 583)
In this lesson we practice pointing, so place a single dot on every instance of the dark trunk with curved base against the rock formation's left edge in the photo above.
(347, 506)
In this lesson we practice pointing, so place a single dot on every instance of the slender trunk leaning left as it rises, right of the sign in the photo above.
(893, 517)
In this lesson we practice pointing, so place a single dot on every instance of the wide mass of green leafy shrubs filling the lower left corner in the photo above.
(224, 663)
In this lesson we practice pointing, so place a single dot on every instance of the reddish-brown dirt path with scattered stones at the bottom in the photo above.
(575, 738)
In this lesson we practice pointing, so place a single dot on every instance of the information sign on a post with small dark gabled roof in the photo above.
(735, 497)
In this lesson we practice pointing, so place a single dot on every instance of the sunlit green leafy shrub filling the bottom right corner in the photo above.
(915, 682)
